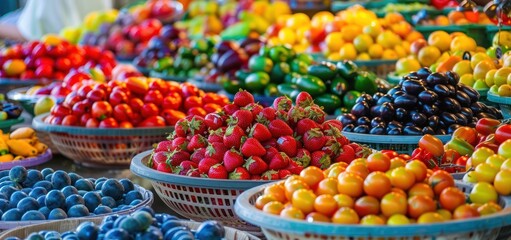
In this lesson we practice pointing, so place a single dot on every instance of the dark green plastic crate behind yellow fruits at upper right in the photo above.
(475, 31)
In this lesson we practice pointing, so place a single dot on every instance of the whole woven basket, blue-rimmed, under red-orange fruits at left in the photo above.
(99, 147)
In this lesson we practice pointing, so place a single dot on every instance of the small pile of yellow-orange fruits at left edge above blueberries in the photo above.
(19, 144)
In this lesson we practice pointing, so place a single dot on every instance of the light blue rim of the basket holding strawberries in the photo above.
(138, 168)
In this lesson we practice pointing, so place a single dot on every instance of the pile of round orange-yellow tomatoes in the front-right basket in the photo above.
(373, 191)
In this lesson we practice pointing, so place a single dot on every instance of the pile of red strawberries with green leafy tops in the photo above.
(248, 141)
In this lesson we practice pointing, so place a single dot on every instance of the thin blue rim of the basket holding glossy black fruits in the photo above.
(396, 139)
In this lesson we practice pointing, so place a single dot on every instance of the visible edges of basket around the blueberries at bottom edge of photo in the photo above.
(62, 226)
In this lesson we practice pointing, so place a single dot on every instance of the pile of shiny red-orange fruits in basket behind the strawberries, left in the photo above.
(133, 102)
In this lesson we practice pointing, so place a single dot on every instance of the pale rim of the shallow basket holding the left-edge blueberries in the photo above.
(147, 201)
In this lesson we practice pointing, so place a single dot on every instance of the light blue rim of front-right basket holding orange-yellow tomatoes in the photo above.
(251, 214)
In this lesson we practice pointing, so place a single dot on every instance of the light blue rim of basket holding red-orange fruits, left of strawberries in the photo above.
(40, 125)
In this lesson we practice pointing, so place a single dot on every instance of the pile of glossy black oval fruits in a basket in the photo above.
(422, 103)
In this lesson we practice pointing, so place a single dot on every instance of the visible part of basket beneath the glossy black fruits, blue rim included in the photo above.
(401, 144)
